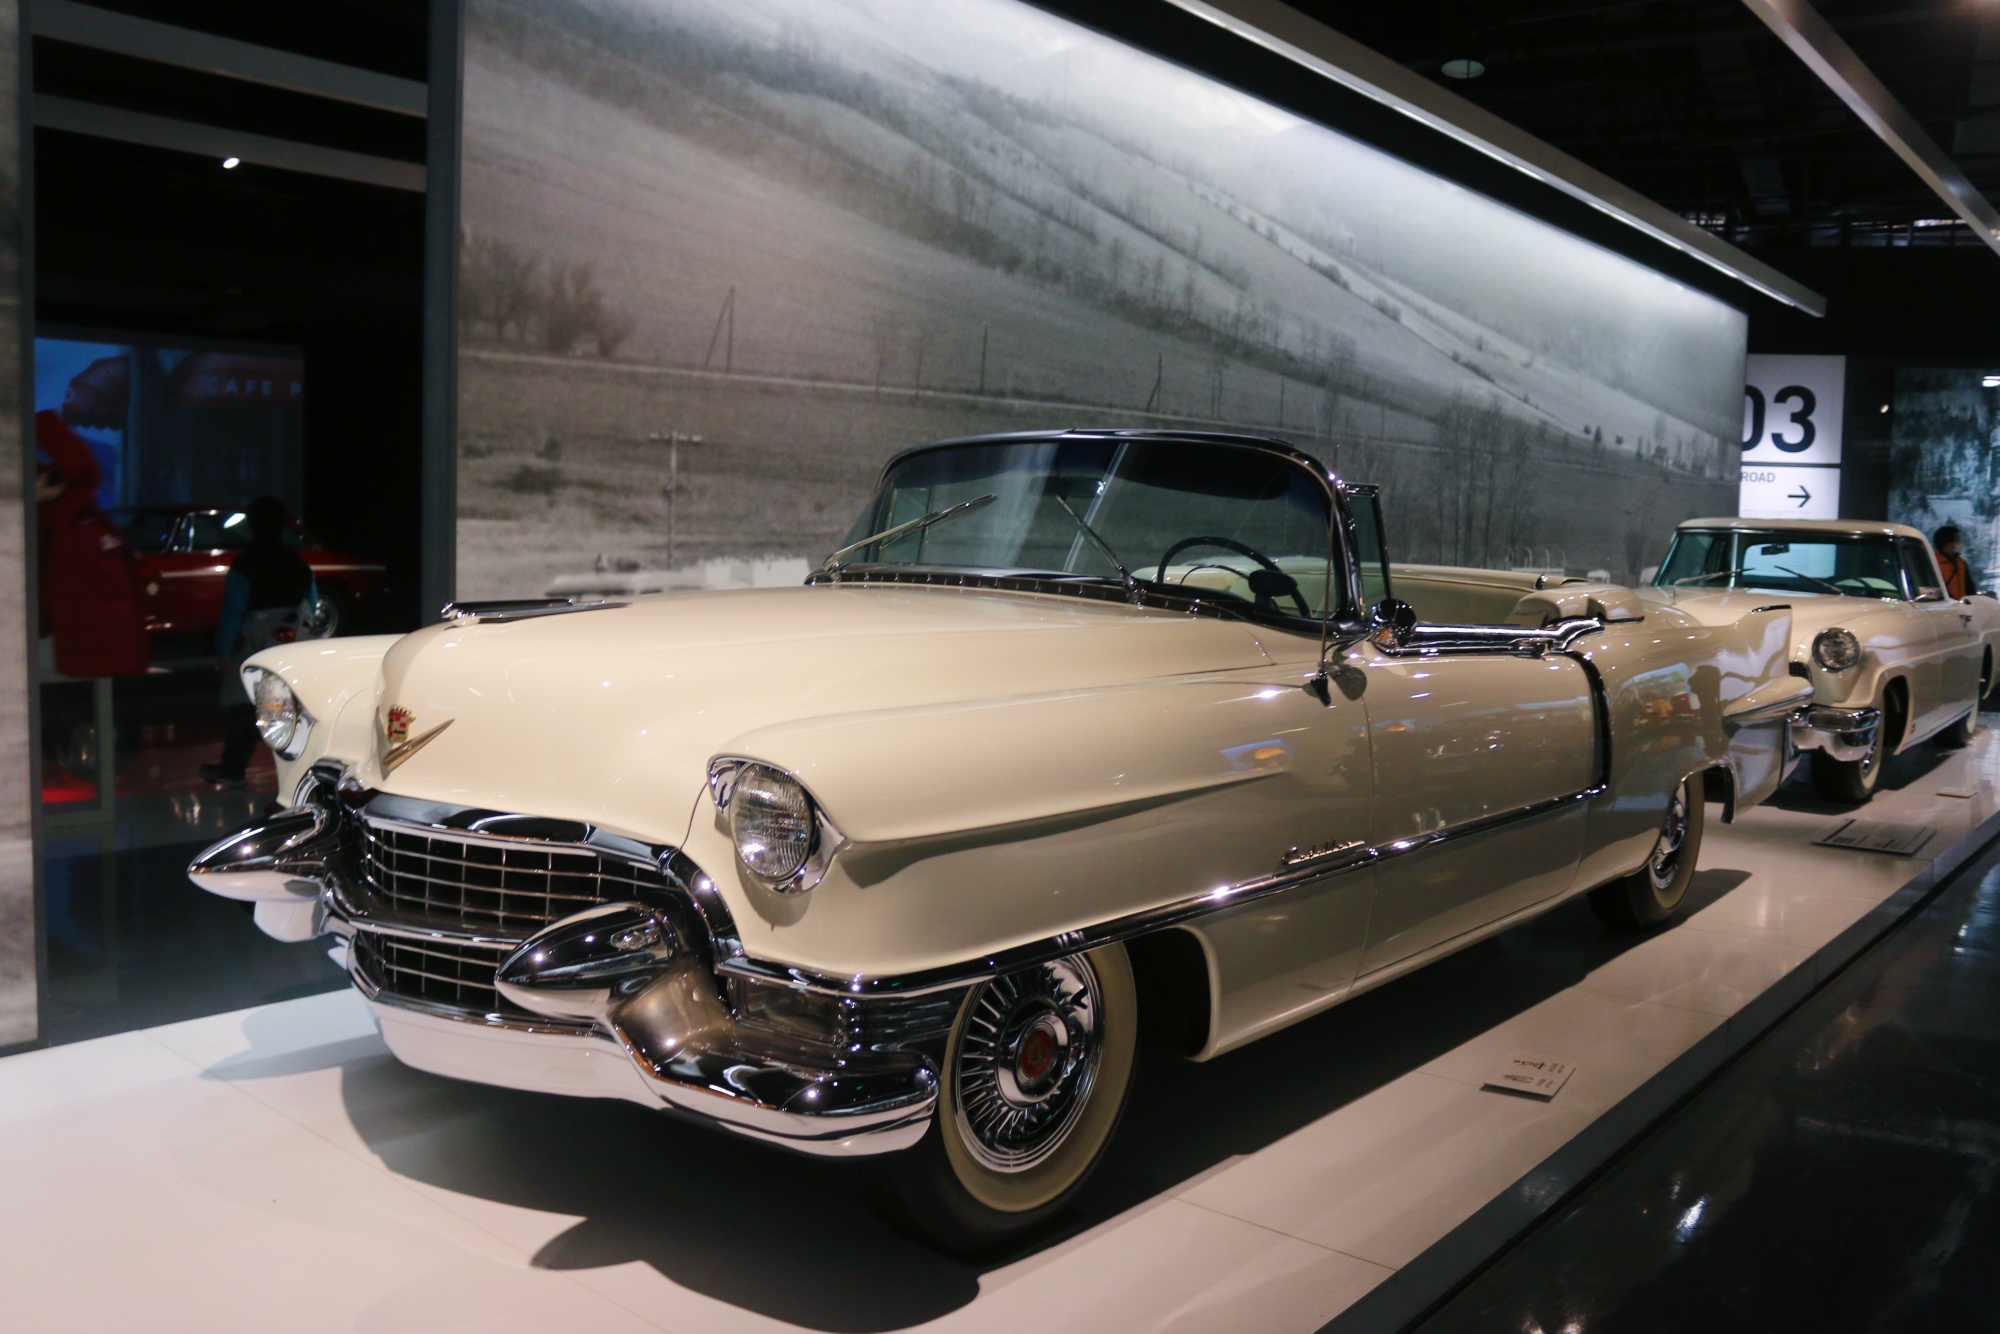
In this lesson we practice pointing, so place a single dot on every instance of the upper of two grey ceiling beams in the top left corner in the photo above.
(125, 35)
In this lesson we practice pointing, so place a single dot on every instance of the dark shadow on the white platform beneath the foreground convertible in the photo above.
(793, 1239)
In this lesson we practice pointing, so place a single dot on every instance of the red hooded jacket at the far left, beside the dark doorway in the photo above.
(87, 571)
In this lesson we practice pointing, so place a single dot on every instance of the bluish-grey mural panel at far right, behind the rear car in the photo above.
(1945, 461)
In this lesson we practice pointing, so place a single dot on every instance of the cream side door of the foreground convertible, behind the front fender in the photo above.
(1477, 755)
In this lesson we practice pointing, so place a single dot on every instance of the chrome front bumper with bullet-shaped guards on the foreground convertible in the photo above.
(619, 1001)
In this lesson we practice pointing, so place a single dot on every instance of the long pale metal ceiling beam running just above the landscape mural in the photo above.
(1313, 45)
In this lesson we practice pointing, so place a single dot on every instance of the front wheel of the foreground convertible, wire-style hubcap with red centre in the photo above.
(1035, 1079)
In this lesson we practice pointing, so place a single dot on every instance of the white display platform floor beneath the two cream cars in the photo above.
(277, 1171)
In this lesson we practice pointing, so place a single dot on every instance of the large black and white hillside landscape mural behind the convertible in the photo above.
(723, 257)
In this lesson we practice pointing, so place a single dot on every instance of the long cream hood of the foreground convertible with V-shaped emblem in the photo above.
(611, 715)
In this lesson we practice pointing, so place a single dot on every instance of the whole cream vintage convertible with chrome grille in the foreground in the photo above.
(1081, 731)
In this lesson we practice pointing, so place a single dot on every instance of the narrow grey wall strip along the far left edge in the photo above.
(19, 1009)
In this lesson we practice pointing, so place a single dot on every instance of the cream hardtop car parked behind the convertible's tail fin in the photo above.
(1893, 661)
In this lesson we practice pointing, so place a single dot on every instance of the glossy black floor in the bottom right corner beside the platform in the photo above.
(1843, 1175)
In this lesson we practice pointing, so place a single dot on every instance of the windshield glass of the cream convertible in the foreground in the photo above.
(1219, 519)
